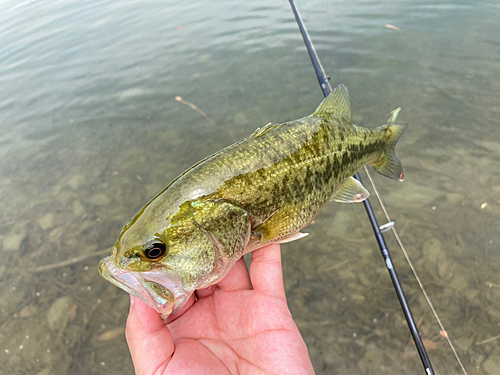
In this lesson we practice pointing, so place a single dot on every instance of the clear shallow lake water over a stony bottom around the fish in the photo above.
(90, 130)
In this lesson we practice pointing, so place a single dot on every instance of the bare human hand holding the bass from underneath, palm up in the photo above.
(241, 325)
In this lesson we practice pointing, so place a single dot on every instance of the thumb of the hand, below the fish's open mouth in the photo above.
(149, 339)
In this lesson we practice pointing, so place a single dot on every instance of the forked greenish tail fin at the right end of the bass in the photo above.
(389, 164)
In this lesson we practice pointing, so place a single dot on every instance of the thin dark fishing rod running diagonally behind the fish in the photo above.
(323, 82)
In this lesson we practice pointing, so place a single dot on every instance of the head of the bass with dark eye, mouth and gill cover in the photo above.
(162, 258)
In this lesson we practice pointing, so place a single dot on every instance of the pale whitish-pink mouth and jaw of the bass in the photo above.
(156, 288)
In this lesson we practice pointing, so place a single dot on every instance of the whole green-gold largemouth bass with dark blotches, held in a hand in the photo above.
(261, 190)
